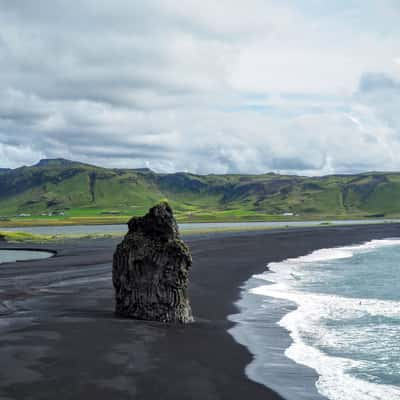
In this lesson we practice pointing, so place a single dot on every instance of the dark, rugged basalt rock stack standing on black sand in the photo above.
(151, 269)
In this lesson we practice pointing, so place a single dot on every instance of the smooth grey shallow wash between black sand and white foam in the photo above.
(277, 341)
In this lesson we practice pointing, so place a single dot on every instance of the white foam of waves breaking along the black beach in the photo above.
(334, 382)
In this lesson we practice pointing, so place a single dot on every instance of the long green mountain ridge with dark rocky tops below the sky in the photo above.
(70, 188)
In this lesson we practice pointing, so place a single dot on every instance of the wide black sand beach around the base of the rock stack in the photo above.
(59, 337)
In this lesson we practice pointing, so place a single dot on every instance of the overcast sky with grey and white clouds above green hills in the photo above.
(298, 86)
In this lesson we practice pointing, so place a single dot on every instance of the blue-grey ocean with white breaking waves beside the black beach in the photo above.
(341, 308)
